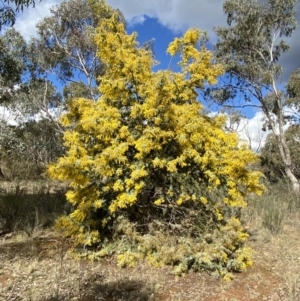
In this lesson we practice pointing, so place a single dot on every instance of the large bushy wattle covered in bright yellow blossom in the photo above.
(144, 160)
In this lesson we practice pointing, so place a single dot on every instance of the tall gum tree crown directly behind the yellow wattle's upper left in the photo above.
(65, 48)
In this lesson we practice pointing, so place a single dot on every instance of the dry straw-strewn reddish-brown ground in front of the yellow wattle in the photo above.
(40, 269)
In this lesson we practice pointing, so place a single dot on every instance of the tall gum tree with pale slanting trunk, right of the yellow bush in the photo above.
(250, 48)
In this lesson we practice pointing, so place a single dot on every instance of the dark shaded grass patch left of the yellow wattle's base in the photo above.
(30, 206)
